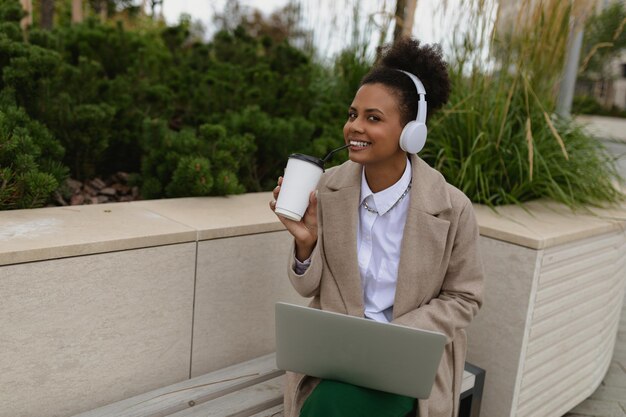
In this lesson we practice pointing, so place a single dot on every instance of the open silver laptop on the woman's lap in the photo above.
(382, 356)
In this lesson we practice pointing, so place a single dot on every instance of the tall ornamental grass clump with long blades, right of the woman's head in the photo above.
(499, 139)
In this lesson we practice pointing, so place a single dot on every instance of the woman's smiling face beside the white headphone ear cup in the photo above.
(373, 128)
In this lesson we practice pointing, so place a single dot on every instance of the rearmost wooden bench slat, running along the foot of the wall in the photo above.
(176, 397)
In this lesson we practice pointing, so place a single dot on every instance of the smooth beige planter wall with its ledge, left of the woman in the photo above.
(103, 302)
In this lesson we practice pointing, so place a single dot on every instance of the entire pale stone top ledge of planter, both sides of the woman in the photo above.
(50, 233)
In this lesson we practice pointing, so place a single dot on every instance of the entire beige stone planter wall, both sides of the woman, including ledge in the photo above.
(100, 303)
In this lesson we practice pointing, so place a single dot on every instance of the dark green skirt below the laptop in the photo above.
(336, 399)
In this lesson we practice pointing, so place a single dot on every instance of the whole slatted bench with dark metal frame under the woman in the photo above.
(249, 389)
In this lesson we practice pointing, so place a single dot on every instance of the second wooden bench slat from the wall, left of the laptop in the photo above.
(243, 403)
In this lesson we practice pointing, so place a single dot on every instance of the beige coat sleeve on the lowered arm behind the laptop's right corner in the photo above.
(461, 292)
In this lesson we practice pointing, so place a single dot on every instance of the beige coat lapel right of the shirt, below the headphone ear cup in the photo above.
(424, 238)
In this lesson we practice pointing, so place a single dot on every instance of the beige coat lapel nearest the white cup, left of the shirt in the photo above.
(340, 210)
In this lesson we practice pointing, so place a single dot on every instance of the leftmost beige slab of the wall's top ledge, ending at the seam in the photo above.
(60, 232)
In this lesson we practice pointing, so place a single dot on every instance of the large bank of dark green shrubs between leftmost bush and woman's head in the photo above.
(228, 112)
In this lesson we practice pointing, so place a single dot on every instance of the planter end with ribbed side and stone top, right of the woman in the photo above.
(554, 294)
